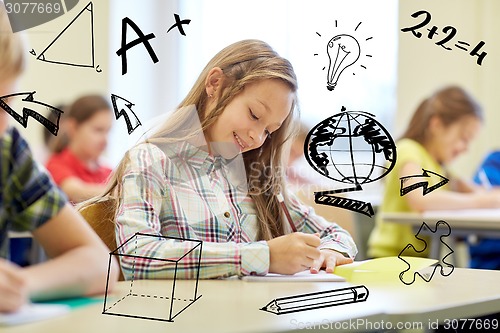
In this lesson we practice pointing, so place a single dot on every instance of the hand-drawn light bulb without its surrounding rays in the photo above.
(343, 51)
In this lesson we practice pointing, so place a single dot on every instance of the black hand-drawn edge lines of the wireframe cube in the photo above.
(172, 297)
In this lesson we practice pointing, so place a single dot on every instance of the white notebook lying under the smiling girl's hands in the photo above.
(304, 276)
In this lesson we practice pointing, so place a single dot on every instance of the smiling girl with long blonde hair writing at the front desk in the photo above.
(213, 171)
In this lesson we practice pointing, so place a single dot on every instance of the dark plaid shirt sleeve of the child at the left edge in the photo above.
(28, 196)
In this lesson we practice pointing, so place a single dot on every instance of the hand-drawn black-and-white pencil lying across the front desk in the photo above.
(317, 300)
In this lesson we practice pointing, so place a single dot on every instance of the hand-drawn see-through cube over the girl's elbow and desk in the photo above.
(161, 305)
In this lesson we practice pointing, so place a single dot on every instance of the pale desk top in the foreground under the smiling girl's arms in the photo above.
(234, 306)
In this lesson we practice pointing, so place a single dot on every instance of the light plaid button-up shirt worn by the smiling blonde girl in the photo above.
(181, 191)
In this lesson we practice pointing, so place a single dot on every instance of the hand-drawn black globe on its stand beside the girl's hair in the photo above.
(334, 139)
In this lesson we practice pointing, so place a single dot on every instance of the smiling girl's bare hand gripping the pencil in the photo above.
(293, 253)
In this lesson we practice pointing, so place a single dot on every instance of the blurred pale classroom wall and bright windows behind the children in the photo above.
(396, 70)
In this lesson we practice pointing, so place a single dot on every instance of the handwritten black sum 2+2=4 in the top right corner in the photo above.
(449, 33)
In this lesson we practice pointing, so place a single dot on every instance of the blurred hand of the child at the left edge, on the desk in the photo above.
(13, 288)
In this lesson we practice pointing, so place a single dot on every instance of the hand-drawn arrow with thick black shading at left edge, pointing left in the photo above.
(30, 106)
